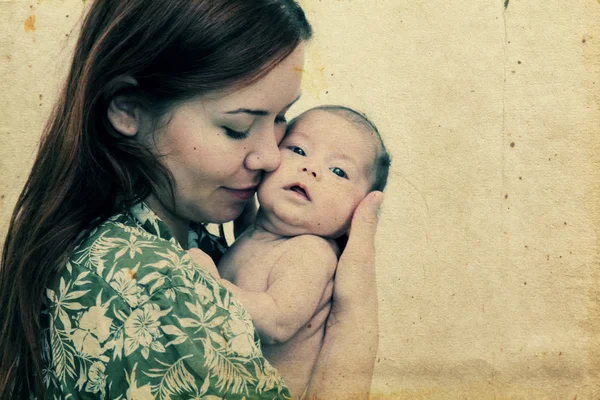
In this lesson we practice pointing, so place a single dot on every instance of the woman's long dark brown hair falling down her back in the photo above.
(85, 171)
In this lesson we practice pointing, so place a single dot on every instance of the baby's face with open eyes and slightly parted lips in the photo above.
(326, 170)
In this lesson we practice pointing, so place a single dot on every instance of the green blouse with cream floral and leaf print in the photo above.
(131, 316)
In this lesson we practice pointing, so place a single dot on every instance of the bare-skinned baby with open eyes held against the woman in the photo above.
(282, 268)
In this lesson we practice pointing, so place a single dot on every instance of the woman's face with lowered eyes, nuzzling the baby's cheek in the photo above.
(217, 146)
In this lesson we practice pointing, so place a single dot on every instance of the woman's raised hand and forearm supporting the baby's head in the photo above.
(345, 365)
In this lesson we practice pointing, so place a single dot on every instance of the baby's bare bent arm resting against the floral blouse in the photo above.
(295, 288)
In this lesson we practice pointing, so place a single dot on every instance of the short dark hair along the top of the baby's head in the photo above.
(382, 159)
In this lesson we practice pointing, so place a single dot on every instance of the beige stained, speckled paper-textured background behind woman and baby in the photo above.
(488, 263)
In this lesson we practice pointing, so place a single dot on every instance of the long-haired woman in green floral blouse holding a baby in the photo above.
(171, 112)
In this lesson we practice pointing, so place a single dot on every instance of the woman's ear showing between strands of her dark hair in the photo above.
(123, 109)
